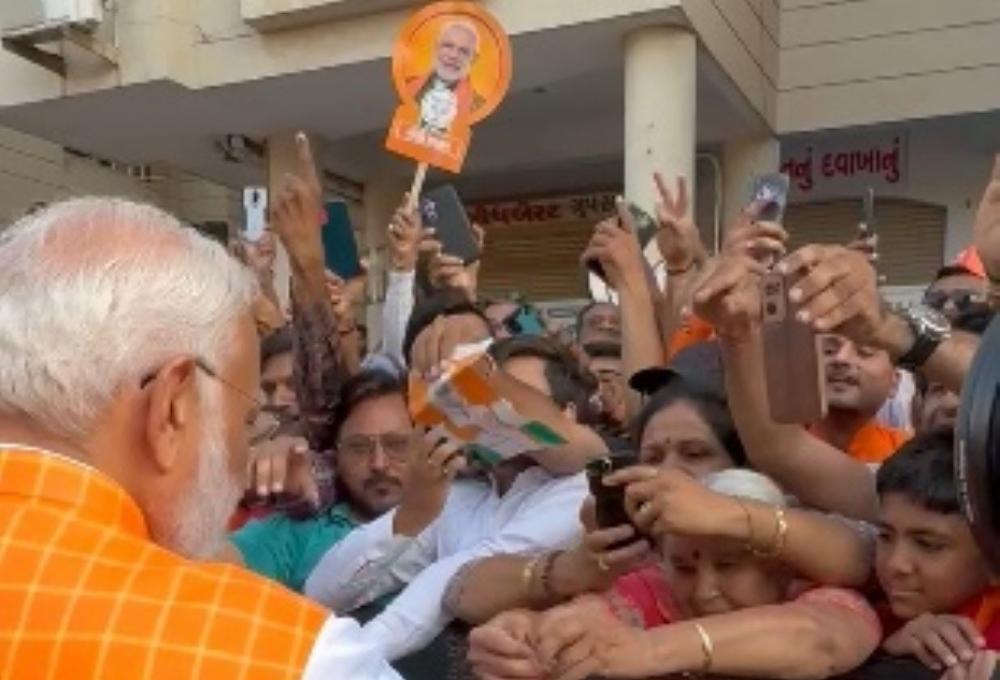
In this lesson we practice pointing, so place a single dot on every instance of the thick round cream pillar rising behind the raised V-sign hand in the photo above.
(660, 110)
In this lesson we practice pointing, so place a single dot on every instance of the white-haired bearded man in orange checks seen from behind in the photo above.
(128, 375)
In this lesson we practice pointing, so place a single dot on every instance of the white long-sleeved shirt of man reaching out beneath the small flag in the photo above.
(538, 513)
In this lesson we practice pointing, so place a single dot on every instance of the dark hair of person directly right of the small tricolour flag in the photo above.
(569, 382)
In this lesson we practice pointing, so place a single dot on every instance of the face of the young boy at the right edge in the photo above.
(927, 562)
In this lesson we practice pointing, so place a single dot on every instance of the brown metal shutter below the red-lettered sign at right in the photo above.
(911, 234)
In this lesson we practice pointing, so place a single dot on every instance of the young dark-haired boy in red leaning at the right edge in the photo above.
(941, 591)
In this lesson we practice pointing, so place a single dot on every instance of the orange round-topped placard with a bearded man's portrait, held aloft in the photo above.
(451, 67)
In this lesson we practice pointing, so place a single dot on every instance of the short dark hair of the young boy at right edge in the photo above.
(923, 470)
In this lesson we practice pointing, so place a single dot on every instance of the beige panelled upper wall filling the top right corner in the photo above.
(866, 61)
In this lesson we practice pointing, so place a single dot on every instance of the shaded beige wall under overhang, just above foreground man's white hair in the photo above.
(33, 170)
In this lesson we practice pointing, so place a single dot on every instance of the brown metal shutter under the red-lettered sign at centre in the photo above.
(541, 262)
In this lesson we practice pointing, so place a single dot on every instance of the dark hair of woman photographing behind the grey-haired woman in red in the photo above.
(710, 407)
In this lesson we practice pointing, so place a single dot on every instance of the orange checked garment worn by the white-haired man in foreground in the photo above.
(85, 594)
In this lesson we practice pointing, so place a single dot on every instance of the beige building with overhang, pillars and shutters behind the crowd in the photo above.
(898, 95)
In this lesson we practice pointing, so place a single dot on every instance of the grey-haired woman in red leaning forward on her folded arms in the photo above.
(721, 607)
